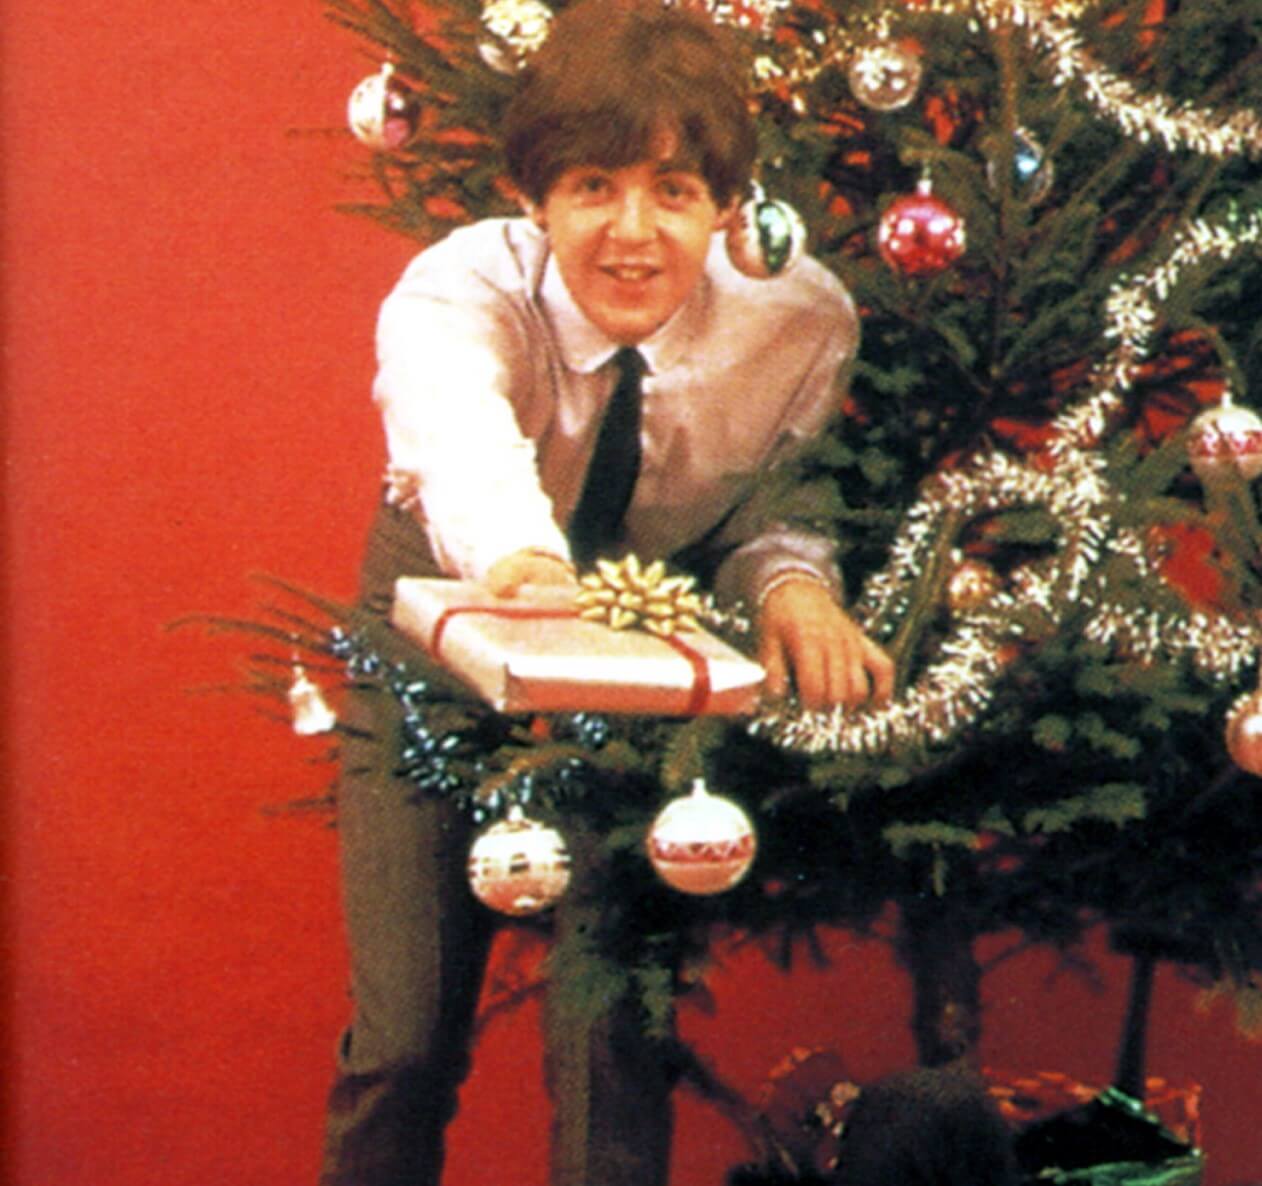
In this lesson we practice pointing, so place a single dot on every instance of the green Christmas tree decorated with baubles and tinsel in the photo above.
(1051, 216)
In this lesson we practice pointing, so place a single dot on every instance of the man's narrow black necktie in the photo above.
(615, 466)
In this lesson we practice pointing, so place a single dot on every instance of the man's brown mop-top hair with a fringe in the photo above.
(613, 78)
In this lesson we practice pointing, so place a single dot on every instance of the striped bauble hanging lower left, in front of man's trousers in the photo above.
(519, 866)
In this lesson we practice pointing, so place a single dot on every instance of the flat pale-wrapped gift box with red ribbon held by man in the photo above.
(533, 654)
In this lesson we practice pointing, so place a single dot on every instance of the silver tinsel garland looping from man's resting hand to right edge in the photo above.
(953, 691)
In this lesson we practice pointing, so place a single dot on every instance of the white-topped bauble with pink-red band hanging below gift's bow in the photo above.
(702, 843)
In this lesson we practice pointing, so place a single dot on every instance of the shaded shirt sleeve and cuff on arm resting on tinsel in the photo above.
(763, 546)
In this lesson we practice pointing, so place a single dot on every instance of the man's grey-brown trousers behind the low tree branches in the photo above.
(420, 943)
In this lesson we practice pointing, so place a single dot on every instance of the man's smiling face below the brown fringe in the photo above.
(630, 242)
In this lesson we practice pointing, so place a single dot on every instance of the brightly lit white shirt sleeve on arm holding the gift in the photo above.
(452, 355)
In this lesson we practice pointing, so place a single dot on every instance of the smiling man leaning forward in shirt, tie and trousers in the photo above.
(504, 354)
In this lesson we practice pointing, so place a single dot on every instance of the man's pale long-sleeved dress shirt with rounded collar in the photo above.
(493, 387)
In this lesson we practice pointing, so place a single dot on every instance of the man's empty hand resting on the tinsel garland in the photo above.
(806, 637)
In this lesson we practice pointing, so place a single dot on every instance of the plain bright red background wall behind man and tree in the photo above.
(187, 359)
